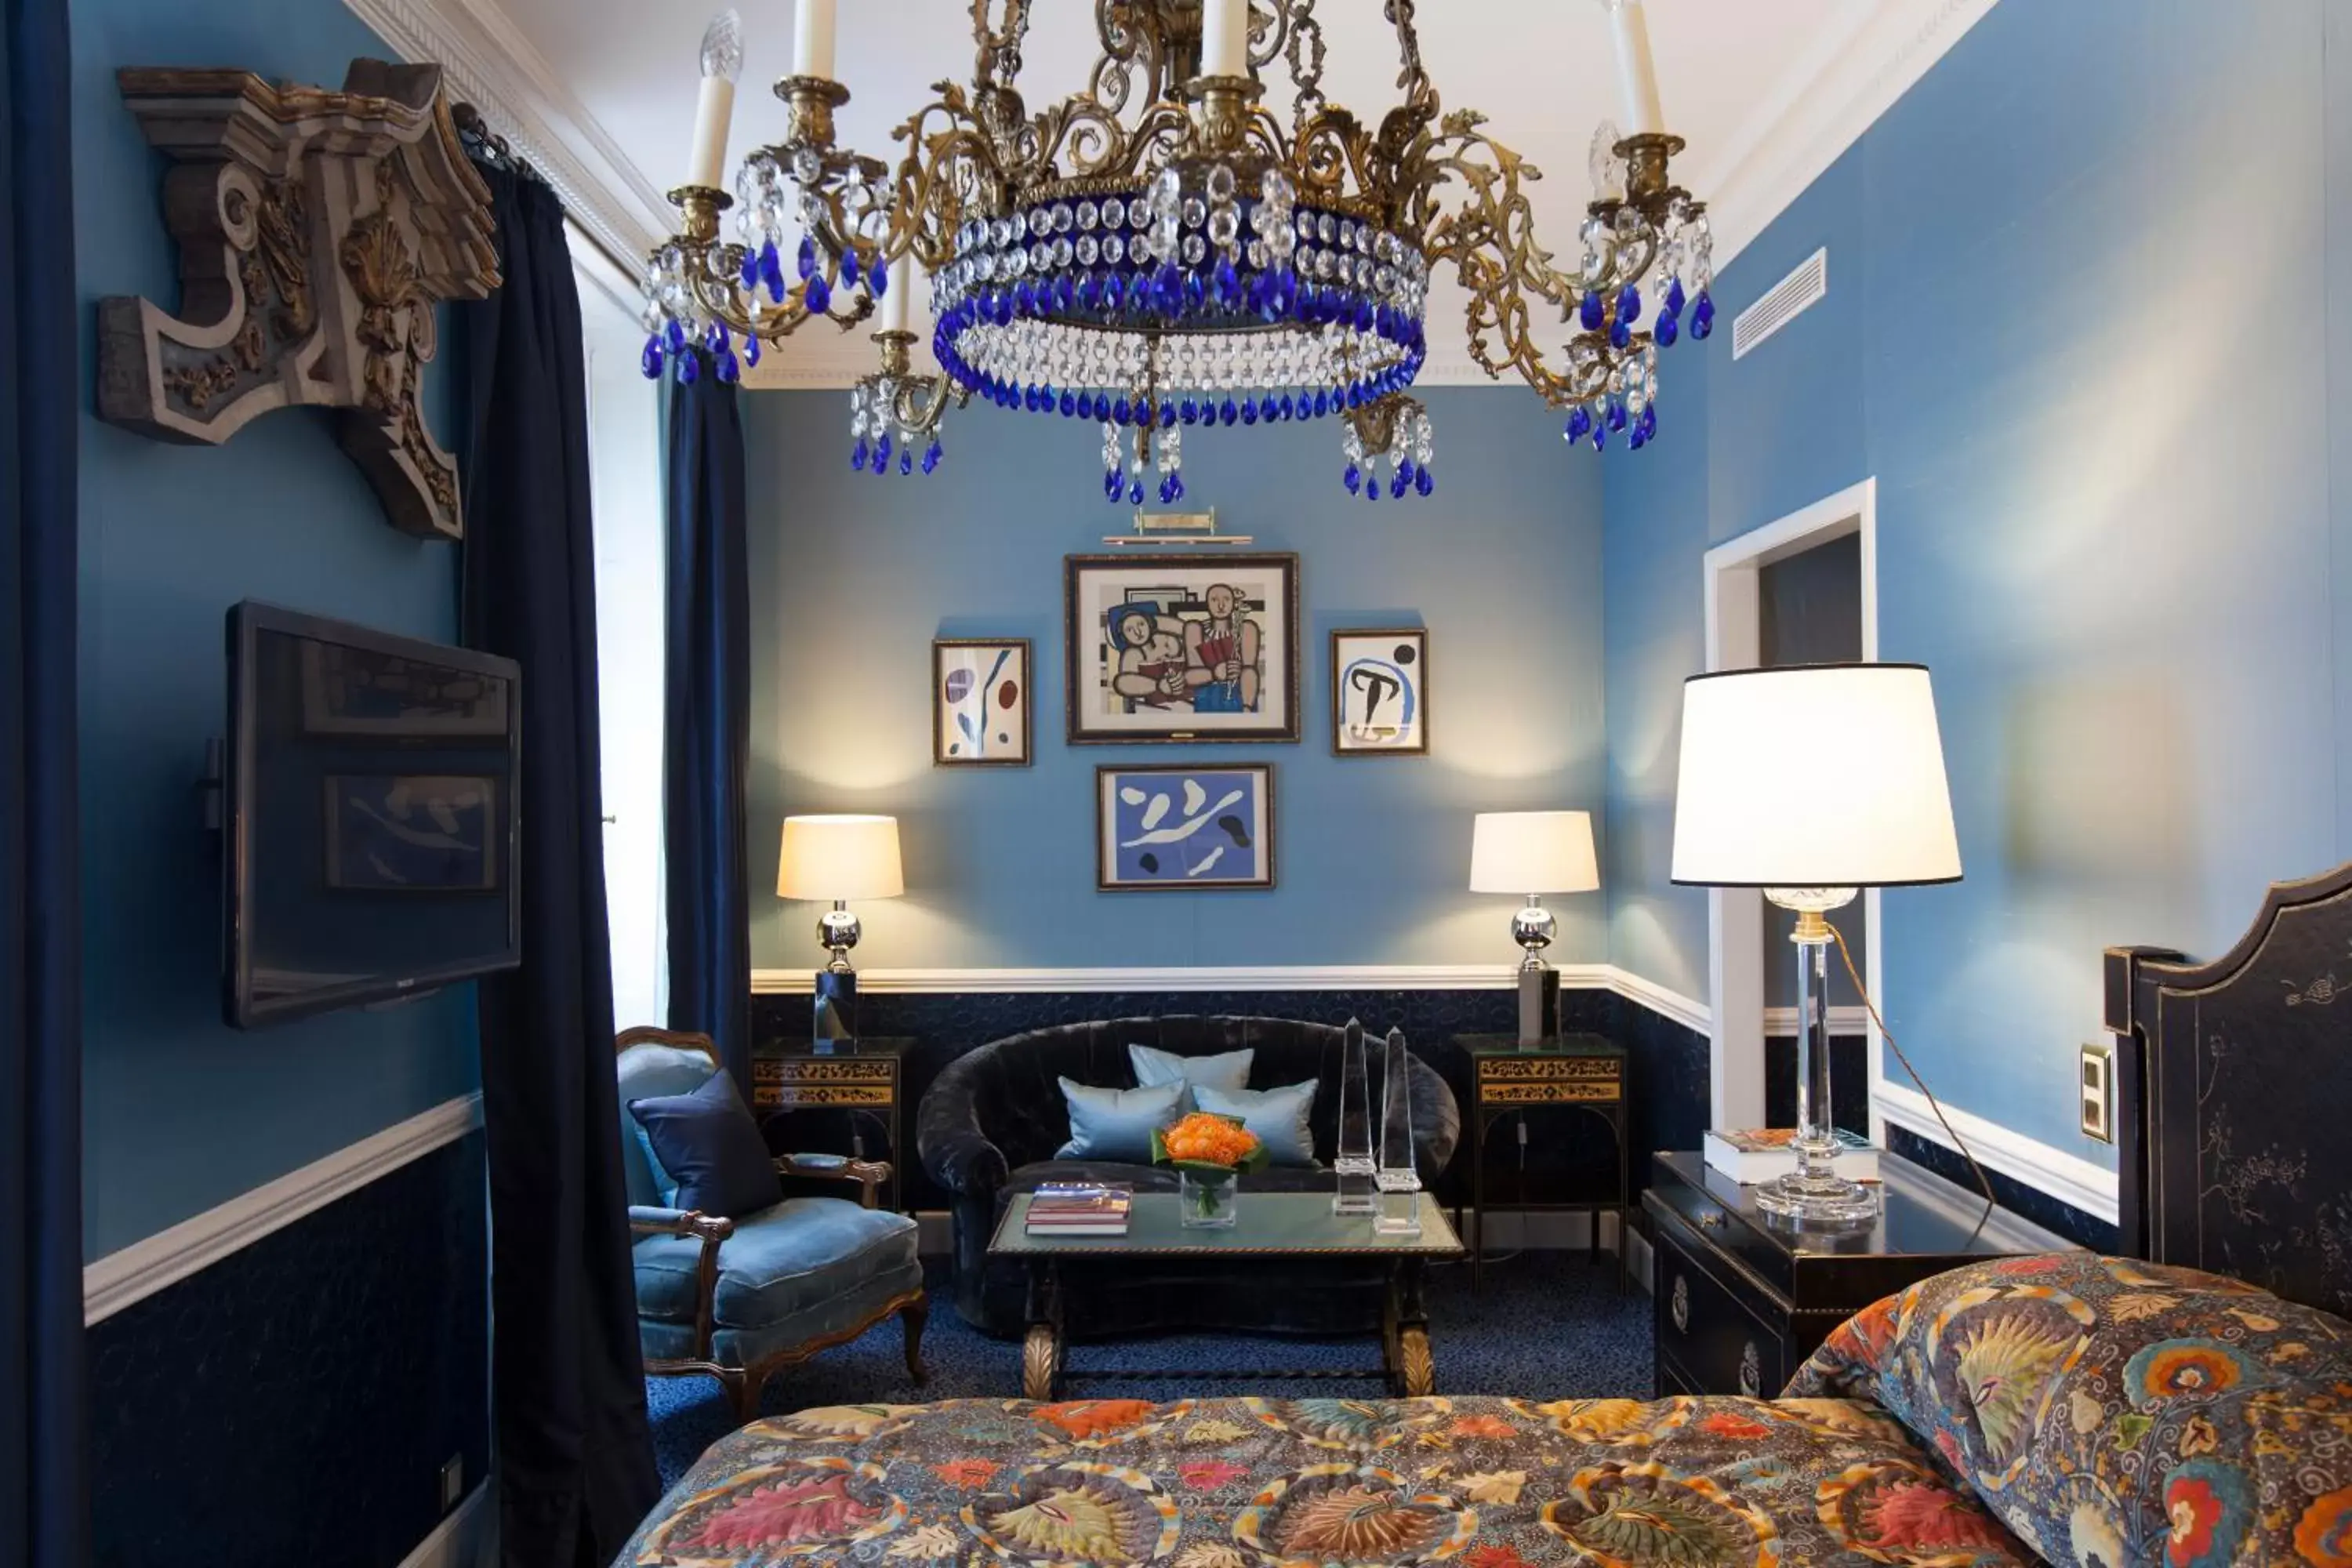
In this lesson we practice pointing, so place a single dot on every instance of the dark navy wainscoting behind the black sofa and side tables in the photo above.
(1563, 1155)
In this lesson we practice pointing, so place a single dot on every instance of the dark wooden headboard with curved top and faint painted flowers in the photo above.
(2236, 1099)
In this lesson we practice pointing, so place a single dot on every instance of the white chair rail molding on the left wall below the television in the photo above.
(145, 1268)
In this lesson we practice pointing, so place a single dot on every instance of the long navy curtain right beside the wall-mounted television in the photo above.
(568, 1383)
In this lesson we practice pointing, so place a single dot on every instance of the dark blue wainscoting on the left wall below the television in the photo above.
(295, 1402)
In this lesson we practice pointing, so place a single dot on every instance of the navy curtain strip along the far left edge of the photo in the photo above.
(44, 1445)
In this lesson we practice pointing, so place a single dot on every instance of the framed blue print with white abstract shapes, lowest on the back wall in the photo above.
(1172, 829)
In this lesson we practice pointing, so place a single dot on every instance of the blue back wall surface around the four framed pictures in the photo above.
(855, 575)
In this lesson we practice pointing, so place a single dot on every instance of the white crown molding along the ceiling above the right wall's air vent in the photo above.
(1819, 109)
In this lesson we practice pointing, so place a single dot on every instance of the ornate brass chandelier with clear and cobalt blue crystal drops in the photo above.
(1161, 255)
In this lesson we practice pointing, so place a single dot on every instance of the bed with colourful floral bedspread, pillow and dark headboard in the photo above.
(2191, 1405)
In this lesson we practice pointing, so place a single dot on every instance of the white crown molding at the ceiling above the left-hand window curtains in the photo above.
(495, 67)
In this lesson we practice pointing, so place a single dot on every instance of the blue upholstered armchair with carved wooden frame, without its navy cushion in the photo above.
(744, 1296)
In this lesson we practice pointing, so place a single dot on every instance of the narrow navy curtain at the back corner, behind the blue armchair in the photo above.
(707, 716)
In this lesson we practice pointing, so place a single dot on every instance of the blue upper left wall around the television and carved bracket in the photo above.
(180, 1111)
